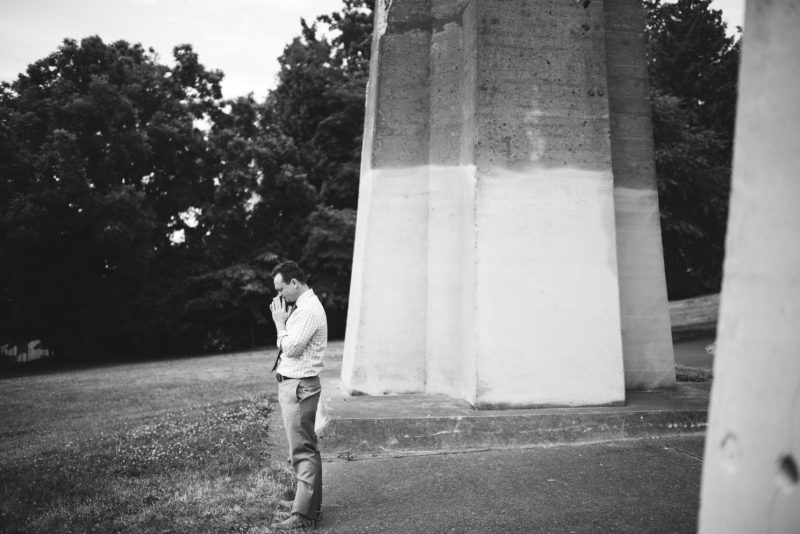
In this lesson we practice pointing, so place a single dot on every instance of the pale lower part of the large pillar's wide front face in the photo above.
(545, 270)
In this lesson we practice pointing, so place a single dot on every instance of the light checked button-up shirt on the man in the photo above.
(305, 339)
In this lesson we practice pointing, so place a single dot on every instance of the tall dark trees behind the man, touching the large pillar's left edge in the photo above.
(286, 183)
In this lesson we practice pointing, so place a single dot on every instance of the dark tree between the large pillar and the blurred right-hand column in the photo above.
(693, 67)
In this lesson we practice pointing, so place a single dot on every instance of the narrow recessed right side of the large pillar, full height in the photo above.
(646, 332)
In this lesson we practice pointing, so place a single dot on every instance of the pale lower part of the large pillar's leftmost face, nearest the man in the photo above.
(386, 324)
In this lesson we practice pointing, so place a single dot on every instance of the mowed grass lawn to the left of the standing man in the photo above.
(169, 447)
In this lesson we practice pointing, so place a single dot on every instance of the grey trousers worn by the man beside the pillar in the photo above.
(299, 398)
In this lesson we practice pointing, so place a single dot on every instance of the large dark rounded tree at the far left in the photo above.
(101, 156)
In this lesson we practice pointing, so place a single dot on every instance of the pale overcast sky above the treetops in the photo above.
(243, 38)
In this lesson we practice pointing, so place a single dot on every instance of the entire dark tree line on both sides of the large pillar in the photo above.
(141, 213)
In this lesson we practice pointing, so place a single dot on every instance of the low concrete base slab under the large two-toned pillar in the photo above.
(363, 426)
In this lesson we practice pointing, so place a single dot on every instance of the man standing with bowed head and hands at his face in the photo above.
(302, 338)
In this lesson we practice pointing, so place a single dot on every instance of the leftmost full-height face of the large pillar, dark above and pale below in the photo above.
(385, 346)
